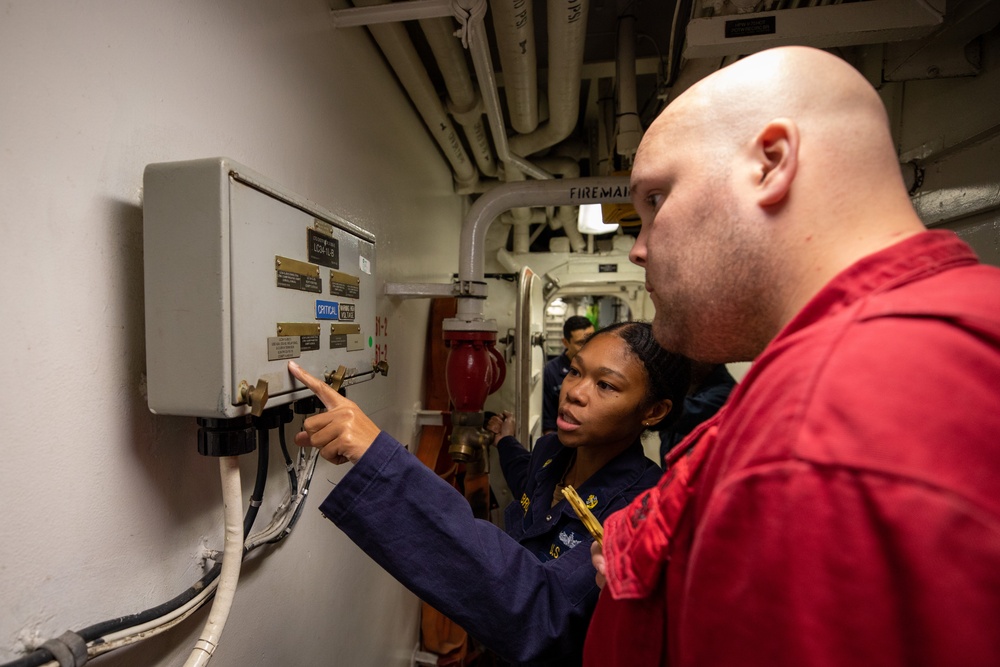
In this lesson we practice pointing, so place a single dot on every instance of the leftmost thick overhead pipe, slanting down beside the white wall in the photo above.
(404, 60)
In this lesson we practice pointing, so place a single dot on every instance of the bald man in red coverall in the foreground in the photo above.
(843, 508)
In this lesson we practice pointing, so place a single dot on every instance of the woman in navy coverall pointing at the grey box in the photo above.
(527, 593)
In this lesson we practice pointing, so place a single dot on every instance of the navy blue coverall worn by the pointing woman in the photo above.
(527, 595)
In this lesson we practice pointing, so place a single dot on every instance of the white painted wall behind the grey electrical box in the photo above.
(106, 506)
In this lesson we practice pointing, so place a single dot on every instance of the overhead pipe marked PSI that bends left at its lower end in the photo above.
(567, 21)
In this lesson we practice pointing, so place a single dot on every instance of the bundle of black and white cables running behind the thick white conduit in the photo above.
(115, 633)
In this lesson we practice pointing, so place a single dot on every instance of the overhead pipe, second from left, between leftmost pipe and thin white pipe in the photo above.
(464, 102)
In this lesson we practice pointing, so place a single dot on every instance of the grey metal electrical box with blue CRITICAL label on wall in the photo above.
(240, 277)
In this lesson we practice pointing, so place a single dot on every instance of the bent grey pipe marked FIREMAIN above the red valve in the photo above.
(555, 192)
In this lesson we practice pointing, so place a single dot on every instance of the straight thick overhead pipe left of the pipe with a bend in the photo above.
(514, 27)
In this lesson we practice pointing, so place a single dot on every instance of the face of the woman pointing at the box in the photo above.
(601, 401)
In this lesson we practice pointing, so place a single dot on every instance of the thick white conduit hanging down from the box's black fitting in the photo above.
(232, 560)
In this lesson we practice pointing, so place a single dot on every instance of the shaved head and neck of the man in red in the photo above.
(755, 187)
